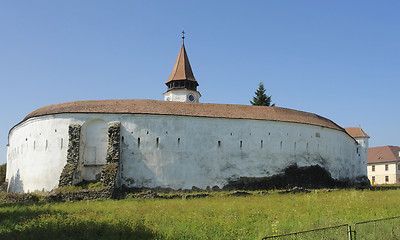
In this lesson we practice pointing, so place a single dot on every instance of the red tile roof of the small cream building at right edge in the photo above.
(383, 154)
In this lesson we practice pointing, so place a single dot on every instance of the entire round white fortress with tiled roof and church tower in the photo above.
(178, 143)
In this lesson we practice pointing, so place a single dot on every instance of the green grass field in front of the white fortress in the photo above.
(217, 217)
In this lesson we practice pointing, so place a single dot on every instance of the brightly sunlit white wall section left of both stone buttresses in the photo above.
(36, 153)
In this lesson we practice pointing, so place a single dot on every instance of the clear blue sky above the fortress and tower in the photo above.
(338, 59)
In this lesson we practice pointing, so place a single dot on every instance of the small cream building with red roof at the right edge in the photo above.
(384, 165)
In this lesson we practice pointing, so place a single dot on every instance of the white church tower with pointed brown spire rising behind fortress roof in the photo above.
(182, 86)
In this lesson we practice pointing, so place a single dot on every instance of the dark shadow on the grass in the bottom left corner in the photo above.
(24, 223)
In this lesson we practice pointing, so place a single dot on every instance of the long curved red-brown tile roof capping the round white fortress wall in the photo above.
(131, 106)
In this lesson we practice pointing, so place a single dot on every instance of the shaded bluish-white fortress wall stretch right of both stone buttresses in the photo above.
(181, 152)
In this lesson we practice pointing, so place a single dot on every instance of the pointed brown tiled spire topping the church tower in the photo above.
(182, 69)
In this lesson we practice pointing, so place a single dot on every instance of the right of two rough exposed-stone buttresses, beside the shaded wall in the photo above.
(110, 170)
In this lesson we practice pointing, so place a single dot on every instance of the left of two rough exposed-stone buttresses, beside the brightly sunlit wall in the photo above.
(67, 175)
